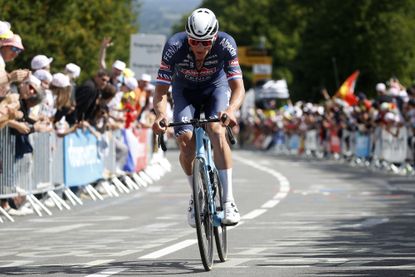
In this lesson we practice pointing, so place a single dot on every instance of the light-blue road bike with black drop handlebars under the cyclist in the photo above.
(207, 192)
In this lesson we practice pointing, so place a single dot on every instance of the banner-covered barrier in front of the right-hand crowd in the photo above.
(378, 150)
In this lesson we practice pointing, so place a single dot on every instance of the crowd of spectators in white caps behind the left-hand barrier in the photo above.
(42, 98)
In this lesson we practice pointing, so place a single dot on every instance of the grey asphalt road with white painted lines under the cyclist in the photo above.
(299, 218)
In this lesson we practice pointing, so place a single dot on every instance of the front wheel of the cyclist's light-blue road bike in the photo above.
(203, 218)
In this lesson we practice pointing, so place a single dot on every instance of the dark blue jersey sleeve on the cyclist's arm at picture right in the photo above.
(231, 62)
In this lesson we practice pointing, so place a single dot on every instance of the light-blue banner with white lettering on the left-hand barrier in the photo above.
(83, 162)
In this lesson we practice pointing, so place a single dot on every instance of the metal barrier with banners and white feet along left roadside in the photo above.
(81, 160)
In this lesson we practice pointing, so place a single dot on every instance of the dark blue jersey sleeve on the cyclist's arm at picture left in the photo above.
(168, 57)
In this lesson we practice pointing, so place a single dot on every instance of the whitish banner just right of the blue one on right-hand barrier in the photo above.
(394, 148)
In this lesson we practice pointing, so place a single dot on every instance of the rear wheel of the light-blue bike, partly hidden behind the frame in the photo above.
(221, 237)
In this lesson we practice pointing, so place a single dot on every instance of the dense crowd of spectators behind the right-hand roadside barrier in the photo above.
(392, 108)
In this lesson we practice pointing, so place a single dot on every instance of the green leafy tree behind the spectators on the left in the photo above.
(70, 31)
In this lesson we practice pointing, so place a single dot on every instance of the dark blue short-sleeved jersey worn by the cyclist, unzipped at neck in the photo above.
(178, 64)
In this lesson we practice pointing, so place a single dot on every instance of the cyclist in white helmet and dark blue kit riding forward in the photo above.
(201, 65)
